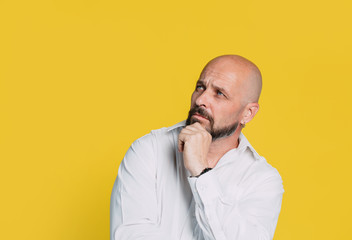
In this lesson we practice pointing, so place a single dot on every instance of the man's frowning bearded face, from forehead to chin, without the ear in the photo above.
(216, 102)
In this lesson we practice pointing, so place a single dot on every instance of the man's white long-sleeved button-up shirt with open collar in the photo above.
(154, 197)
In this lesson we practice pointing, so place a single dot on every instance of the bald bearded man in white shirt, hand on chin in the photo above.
(201, 179)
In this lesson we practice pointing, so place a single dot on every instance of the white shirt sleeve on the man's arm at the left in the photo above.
(133, 204)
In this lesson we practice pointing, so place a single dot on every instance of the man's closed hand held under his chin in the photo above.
(194, 142)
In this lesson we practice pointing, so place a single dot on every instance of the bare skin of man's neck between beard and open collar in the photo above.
(220, 146)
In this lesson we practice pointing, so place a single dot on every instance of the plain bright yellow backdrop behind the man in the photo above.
(81, 80)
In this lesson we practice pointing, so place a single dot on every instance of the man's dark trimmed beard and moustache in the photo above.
(215, 133)
